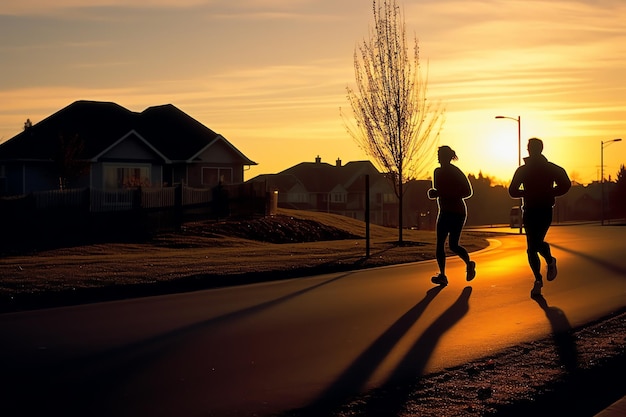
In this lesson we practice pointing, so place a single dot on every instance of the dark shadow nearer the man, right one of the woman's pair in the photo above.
(398, 388)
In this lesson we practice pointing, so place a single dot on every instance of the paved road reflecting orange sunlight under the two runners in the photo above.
(262, 348)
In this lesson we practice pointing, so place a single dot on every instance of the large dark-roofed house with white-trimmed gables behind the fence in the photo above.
(102, 145)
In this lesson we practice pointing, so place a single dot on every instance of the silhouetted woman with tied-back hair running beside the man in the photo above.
(450, 187)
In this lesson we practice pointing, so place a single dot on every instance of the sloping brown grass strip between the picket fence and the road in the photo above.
(209, 254)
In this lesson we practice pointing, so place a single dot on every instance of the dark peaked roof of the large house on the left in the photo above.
(168, 130)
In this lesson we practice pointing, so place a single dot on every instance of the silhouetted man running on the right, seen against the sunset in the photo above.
(538, 182)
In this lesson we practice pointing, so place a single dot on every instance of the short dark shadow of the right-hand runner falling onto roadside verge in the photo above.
(561, 333)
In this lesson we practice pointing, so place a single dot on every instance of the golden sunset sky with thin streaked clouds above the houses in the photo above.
(271, 75)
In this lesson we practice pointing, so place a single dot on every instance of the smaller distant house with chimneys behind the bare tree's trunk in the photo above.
(338, 188)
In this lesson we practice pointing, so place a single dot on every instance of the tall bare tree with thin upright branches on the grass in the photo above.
(392, 120)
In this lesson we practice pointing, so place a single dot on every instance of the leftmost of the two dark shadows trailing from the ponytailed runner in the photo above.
(354, 377)
